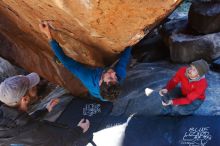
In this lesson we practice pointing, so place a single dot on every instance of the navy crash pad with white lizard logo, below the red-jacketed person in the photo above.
(173, 131)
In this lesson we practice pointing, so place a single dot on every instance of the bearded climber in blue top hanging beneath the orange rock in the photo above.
(103, 84)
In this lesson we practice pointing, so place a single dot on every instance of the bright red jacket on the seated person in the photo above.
(190, 90)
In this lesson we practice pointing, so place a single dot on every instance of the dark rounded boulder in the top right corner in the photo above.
(204, 17)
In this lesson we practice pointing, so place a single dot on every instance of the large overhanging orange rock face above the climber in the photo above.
(93, 32)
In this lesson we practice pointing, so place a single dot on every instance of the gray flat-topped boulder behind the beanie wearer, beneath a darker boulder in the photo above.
(187, 48)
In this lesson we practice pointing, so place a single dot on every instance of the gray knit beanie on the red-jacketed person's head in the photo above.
(201, 66)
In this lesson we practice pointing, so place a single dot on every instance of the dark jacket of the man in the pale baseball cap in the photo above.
(18, 127)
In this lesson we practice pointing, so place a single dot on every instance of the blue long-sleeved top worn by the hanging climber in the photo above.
(90, 77)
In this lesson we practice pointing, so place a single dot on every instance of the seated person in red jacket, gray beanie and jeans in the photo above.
(186, 98)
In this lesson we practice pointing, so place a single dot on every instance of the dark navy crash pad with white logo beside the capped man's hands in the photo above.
(94, 111)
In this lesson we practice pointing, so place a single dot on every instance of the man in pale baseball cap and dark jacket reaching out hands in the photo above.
(20, 128)
